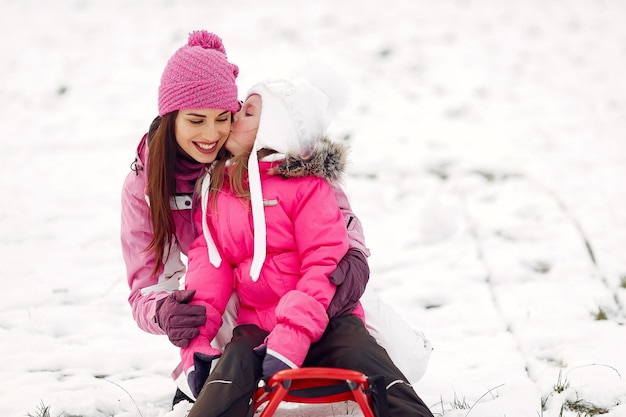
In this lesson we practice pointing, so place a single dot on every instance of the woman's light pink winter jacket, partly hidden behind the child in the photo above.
(136, 234)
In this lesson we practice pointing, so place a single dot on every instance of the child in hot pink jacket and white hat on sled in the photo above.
(271, 230)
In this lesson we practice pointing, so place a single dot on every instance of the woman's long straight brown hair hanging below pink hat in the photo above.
(161, 186)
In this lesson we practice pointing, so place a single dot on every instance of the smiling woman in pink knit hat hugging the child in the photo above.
(157, 196)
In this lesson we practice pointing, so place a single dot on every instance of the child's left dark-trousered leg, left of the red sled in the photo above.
(230, 386)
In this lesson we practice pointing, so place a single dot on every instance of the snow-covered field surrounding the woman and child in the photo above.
(488, 166)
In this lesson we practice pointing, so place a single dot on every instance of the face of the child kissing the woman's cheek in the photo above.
(245, 126)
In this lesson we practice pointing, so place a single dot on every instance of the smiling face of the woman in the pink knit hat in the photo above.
(202, 132)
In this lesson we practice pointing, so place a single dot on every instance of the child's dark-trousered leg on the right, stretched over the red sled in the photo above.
(347, 344)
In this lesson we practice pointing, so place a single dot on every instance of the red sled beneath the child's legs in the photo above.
(314, 385)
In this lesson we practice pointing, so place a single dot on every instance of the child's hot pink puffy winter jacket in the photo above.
(306, 238)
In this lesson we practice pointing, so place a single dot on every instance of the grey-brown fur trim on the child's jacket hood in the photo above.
(326, 159)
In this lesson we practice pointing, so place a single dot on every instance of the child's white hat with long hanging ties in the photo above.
(294, 114)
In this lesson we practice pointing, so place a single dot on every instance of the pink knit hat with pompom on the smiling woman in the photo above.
(198, 76)
